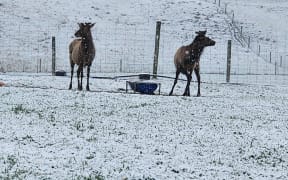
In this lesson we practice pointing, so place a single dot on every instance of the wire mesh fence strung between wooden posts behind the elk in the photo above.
(130, 49)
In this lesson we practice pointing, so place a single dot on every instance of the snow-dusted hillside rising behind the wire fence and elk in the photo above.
(124, 34)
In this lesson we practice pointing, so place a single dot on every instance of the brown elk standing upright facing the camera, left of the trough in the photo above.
(82, 53)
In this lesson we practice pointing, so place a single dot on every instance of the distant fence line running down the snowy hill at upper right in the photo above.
(266, 46)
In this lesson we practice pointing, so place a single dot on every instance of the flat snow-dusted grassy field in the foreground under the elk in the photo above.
(231, 132)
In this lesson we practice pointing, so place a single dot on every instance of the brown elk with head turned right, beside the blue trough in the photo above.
(187, 59)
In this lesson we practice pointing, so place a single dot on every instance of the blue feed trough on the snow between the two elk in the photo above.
(143, 87)
